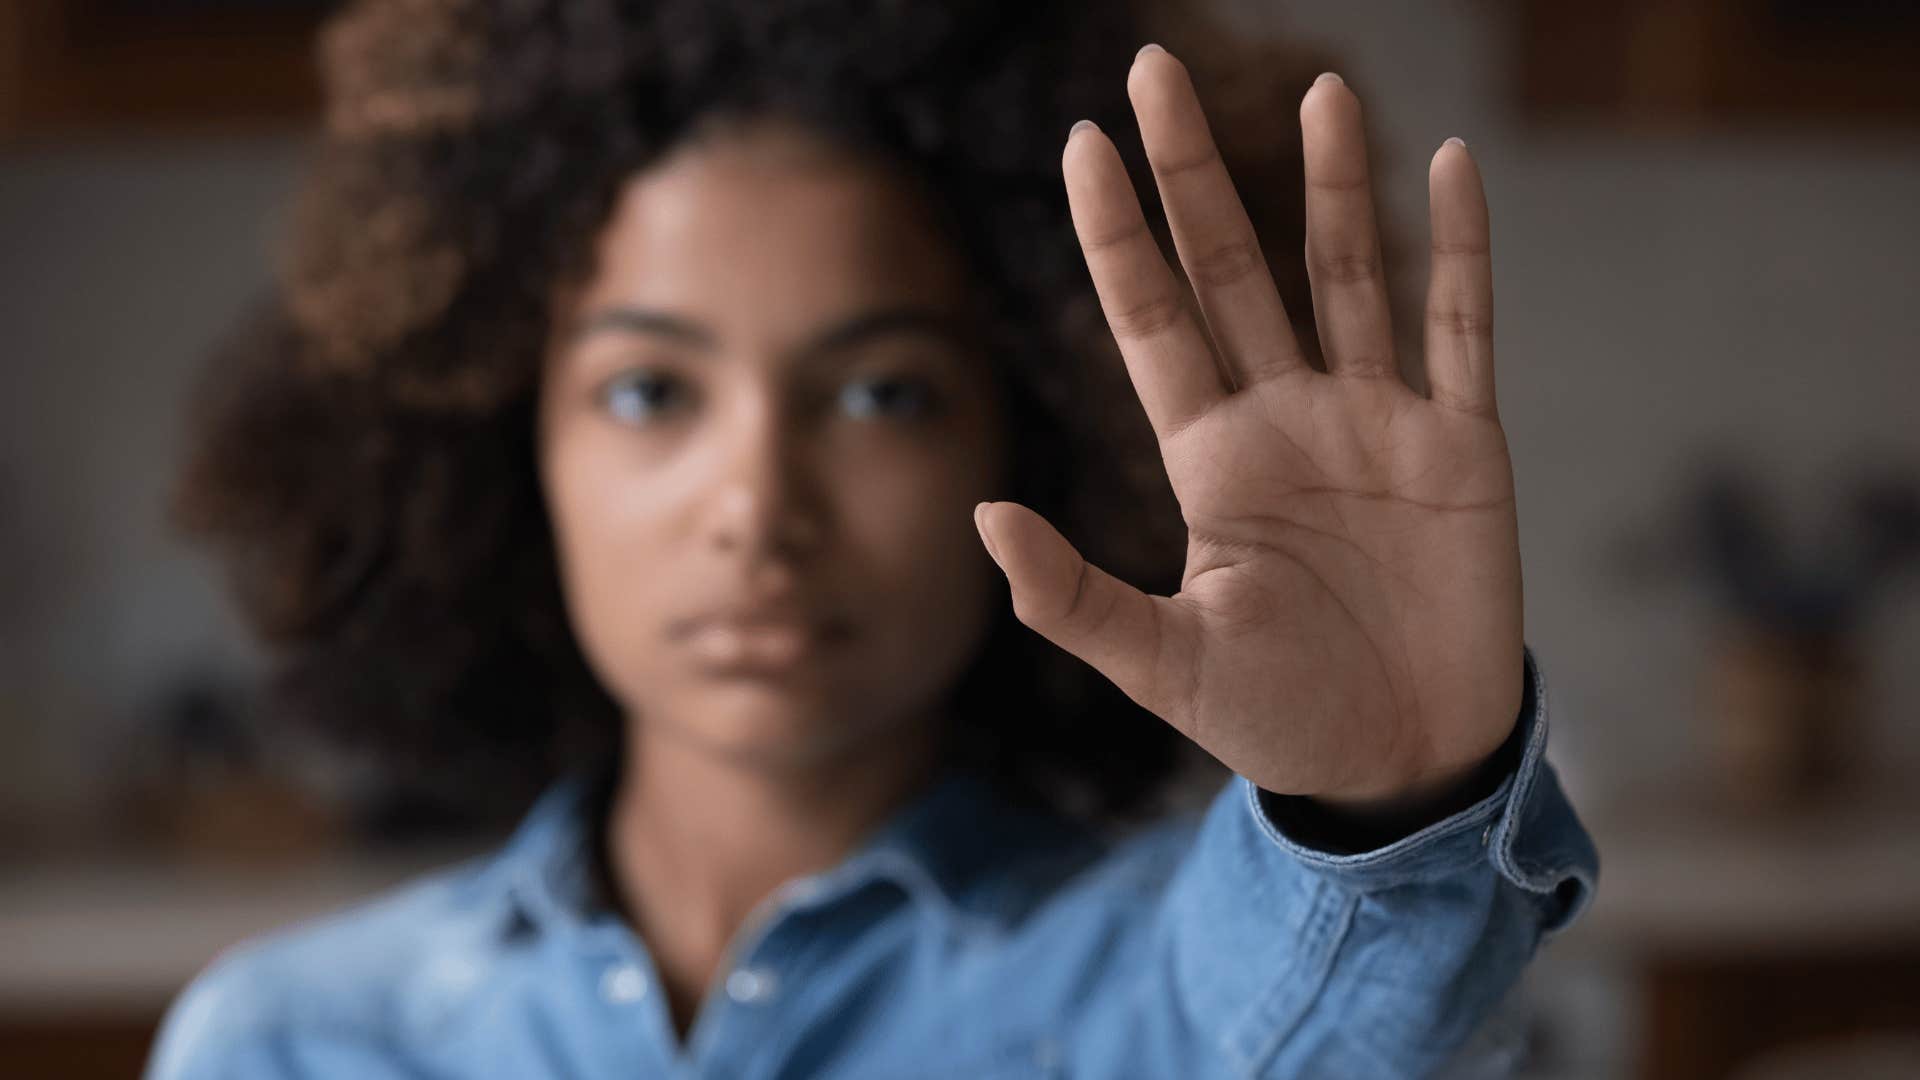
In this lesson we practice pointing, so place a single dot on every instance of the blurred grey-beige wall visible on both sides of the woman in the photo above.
(1656, 297)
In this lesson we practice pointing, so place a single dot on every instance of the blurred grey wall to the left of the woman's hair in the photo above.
(122, 262)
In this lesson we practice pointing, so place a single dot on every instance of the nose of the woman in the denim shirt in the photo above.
(767, 503)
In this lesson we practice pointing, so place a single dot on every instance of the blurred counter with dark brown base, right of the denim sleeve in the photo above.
(1756, 935)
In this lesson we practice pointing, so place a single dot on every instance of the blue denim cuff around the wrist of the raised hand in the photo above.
(1525, 829)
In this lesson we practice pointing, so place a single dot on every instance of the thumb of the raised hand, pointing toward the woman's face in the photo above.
(1078, 606)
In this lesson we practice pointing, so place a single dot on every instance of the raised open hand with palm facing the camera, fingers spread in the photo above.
(1349, 624)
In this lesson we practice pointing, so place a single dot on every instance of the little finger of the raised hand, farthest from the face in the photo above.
(1460, 295)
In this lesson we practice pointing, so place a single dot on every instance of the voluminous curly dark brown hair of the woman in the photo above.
(364, 443)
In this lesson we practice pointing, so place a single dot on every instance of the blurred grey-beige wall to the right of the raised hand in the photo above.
(1656, 297)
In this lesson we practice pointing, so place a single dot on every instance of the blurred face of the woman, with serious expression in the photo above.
(763, 435)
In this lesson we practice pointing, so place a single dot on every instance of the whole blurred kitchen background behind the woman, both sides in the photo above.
(1708, 276)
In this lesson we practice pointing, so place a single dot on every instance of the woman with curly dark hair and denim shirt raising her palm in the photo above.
(654, 408)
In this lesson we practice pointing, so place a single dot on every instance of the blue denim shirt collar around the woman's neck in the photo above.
(948, 850)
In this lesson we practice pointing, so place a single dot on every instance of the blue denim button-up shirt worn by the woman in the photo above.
(963, 941)
